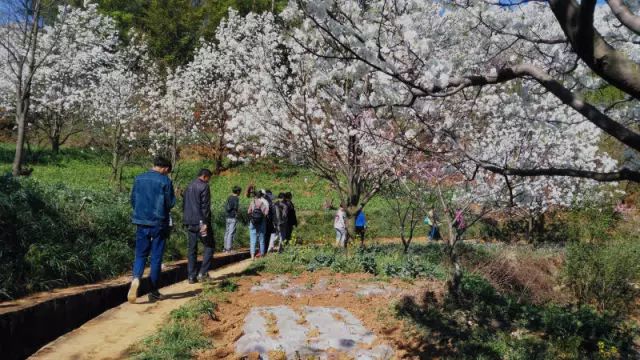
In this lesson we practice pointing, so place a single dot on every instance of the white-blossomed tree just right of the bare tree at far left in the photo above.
(86, 47)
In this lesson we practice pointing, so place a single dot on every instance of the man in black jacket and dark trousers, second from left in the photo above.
(197, 220)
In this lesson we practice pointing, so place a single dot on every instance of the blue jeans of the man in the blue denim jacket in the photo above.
(150, 240)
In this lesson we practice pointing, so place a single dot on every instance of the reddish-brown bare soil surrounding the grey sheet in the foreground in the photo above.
(374, 311)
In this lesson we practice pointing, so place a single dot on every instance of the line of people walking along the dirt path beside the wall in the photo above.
(271, 221)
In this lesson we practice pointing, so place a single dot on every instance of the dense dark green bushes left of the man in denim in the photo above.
(51, 236)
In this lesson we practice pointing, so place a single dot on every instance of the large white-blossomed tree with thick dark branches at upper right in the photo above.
(460, 53)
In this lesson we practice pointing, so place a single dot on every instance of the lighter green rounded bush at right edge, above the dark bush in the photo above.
(604, 274)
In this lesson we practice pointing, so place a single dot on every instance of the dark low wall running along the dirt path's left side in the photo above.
(28, 328)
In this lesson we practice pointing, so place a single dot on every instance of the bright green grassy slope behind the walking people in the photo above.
(88, 170)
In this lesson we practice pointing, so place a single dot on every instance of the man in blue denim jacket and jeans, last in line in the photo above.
(152, 198)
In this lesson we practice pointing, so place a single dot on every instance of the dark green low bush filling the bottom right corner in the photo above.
(490, 325)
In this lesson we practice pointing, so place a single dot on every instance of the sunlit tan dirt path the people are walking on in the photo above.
(109, 335)
